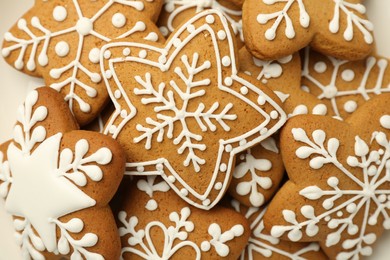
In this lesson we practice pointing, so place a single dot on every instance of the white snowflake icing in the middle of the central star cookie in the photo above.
(202, 116)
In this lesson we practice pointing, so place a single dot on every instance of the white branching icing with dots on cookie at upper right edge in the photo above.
(374, 73)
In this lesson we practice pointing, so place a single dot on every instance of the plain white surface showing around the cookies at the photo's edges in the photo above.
(14, 87)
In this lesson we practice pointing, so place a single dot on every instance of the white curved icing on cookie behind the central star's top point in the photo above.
(176, 7)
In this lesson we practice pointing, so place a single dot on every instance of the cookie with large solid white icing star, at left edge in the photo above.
(57, 182)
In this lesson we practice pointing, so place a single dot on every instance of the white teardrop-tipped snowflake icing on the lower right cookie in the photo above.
(348, 212)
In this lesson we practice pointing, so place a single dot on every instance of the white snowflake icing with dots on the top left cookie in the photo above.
(84, 27)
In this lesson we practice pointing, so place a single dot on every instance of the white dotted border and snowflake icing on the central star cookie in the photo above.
(163, 94)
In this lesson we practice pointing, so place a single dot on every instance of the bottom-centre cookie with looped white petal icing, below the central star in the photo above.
(159, 225)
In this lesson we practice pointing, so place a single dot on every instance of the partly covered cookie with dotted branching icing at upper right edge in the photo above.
(344, 85)
